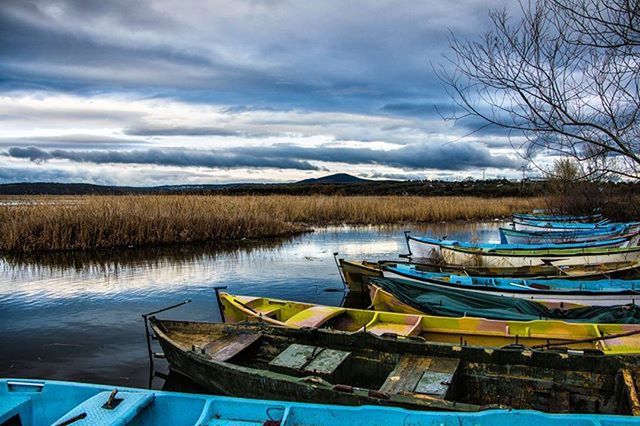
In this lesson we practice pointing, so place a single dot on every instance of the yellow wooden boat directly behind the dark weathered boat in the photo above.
(607, 338)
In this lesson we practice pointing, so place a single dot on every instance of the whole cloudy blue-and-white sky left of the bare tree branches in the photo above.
(184, 92)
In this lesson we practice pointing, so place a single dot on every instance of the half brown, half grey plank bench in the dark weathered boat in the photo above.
(431, 376)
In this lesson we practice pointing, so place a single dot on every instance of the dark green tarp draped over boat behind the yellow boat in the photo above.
(451, 302)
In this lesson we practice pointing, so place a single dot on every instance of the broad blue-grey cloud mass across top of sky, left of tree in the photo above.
(343, 55)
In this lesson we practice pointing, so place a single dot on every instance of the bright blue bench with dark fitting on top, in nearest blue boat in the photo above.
(93, 411)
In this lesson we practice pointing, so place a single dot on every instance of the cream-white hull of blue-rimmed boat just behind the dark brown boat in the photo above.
(457, 255)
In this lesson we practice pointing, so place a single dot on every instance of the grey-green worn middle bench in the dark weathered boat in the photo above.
(300, 359)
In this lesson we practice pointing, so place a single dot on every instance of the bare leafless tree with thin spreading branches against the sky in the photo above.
(563, 77)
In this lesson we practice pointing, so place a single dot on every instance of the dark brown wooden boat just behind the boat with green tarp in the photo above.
(356, 272)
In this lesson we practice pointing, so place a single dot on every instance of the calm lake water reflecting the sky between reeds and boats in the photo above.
(77, 316)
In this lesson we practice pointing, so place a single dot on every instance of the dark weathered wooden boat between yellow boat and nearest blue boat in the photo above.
(353, 369)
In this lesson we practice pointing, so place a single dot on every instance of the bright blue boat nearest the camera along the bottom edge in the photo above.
(44, 402)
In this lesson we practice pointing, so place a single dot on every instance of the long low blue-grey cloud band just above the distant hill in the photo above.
(454, 156)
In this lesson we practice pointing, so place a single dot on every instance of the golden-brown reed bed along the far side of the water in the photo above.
(116, 221)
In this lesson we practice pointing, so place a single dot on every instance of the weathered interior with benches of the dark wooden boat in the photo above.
(346, 365)
